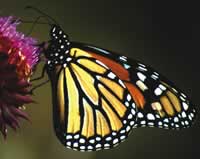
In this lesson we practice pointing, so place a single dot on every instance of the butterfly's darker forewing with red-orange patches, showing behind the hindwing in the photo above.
(159, 103)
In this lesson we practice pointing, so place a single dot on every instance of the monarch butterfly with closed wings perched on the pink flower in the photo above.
(99, 96)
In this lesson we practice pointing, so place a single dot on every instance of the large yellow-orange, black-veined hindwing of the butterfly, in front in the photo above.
(94, 109)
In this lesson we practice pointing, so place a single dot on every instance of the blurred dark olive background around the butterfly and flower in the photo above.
(163, 34)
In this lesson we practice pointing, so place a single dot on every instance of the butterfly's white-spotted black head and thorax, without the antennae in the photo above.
(57, 52)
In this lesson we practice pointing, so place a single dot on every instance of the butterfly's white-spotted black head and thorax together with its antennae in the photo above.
(57, 48)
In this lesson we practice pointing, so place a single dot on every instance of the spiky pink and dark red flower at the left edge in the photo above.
(18, 56)
